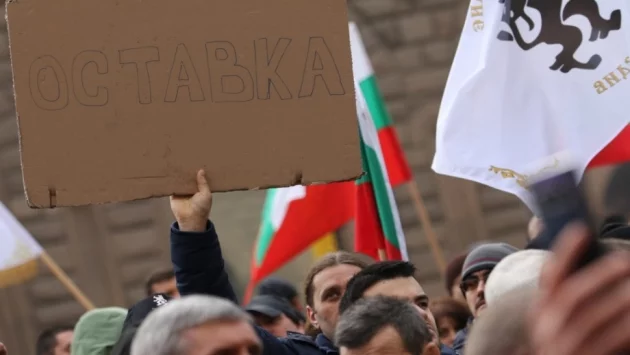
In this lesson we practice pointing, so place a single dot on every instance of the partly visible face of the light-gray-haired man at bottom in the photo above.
(218, 338)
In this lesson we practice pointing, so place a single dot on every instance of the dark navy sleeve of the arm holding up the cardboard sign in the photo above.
(198, 263)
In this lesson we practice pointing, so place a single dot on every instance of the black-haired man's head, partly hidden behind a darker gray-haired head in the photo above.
(392, 279)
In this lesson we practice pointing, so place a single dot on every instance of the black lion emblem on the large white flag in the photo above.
(554, 31)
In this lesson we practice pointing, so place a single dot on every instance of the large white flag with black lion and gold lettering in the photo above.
(532, 81)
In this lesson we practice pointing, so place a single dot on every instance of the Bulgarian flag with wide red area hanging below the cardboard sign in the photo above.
(295, 217)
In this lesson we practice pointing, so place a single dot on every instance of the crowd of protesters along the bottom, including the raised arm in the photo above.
(502, 300)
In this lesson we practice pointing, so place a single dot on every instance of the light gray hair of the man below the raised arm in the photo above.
(161, 332)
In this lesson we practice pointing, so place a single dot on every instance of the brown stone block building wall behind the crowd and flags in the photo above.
(109, 250)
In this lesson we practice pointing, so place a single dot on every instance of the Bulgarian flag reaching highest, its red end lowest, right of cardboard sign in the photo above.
(397, 168)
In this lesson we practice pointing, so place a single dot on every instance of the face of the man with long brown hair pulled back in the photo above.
(328, 287)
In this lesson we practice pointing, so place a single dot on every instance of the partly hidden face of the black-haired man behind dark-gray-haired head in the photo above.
(406, 288)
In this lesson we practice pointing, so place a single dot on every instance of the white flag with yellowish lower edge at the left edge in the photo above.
(19, 251)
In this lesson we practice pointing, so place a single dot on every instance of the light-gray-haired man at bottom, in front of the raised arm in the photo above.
(196, 325)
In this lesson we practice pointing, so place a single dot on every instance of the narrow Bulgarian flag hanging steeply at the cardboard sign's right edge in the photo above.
(378, 232)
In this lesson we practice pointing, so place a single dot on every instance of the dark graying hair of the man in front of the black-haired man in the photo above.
(368, 316)
